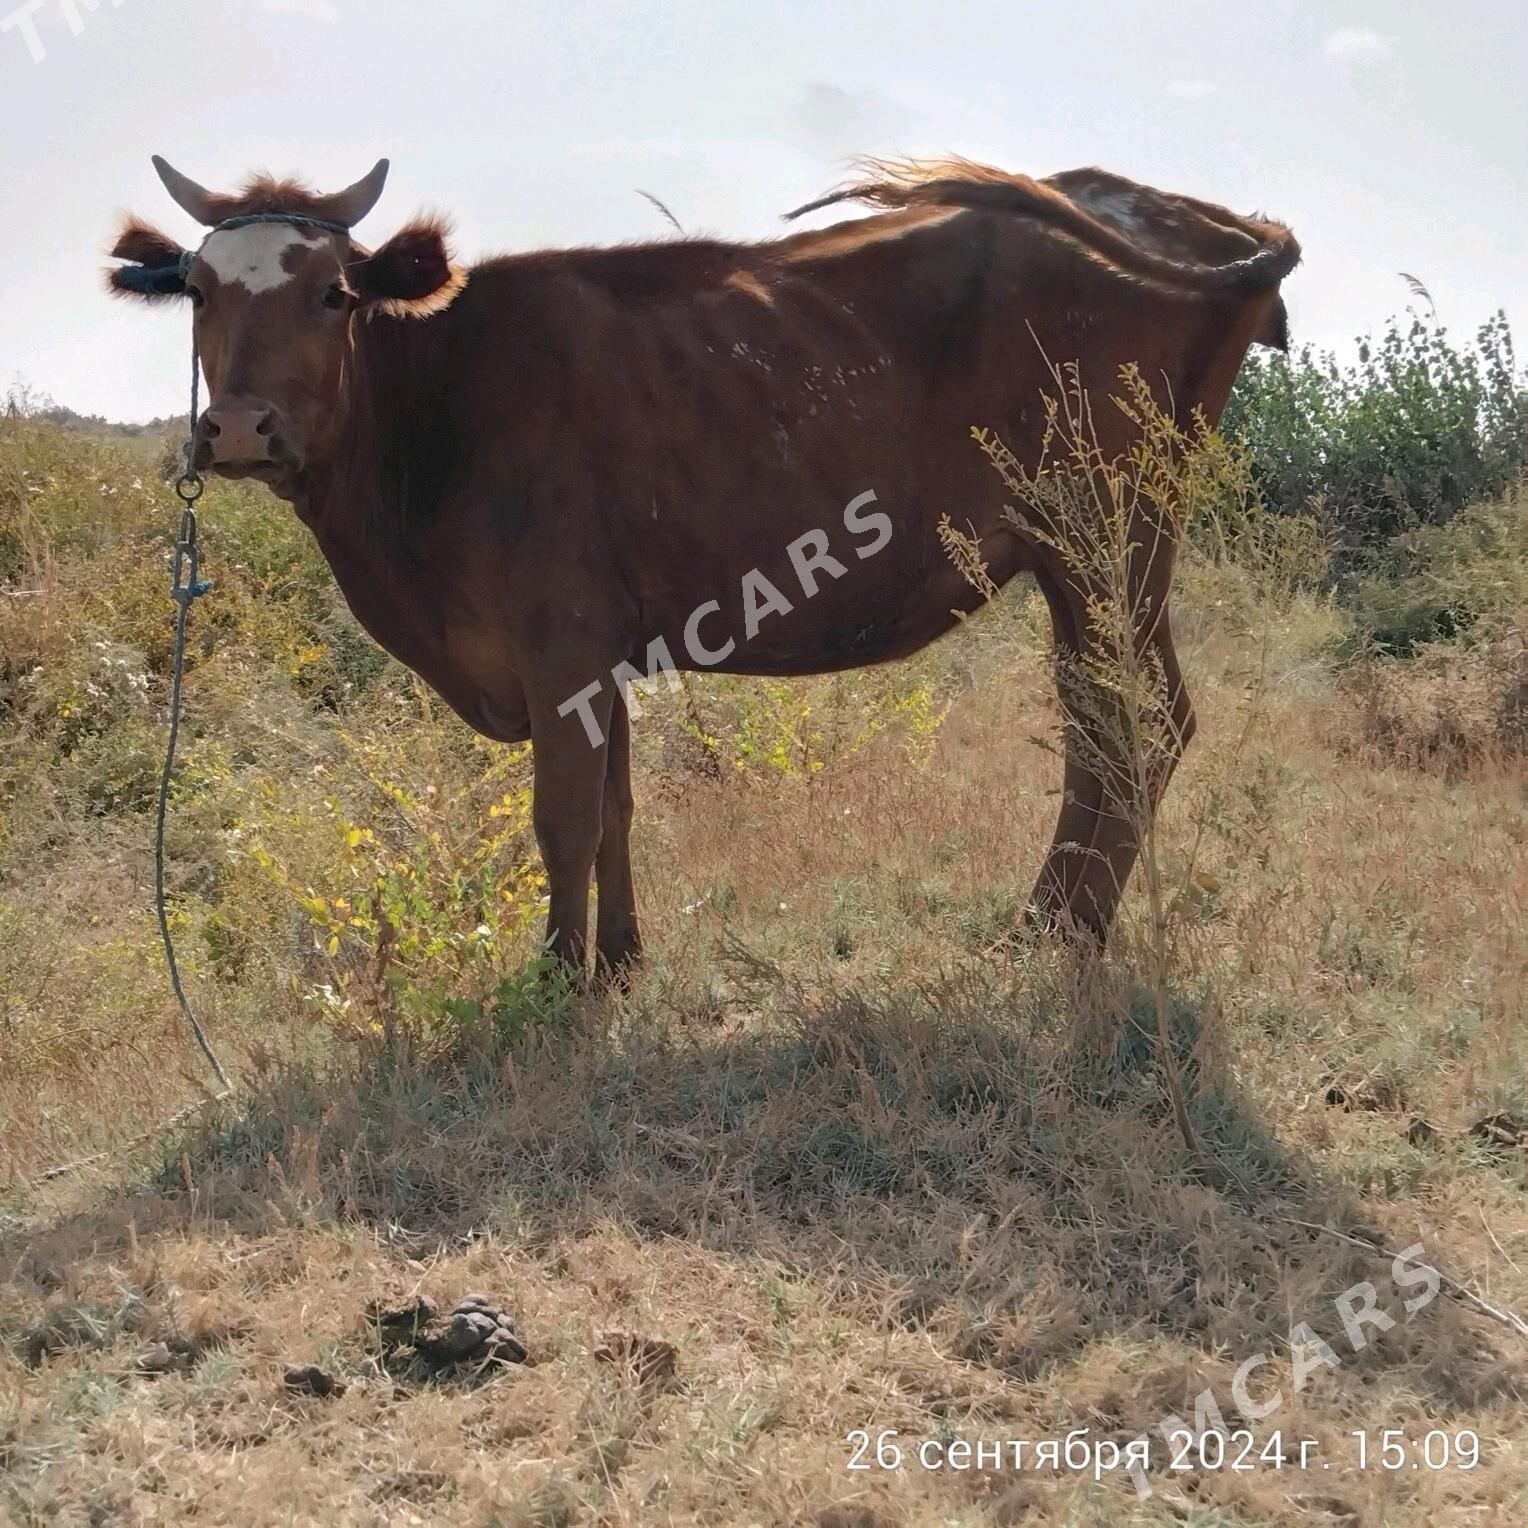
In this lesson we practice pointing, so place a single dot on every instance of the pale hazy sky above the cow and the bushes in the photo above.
(1391, 137)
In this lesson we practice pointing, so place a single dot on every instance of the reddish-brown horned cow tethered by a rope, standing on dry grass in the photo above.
(552, 471)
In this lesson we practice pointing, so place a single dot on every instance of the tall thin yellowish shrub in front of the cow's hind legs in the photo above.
(1101, 517)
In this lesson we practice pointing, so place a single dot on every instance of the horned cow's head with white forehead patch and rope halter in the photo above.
(279, 286)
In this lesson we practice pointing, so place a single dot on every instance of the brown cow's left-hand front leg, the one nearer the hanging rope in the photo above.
(571, 753)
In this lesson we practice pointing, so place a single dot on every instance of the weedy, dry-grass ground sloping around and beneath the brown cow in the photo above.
(858, 1156)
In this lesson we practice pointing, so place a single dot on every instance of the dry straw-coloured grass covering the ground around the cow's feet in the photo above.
(861, 1151)
